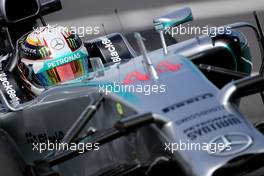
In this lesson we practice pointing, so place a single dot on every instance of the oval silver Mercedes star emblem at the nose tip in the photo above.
(233, 143)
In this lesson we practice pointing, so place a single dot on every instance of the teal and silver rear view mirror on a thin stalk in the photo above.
(173, 19)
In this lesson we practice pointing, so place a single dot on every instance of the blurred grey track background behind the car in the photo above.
(127, 16)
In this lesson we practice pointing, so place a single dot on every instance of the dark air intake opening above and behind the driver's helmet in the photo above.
(13, 11)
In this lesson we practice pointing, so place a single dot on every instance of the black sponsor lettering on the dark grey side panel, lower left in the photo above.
(44, 137)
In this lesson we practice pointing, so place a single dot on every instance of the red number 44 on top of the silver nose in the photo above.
(163, 66)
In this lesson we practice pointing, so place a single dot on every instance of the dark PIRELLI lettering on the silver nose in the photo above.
(187, 102)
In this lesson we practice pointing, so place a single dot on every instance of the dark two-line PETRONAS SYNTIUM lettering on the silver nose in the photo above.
(211, 125)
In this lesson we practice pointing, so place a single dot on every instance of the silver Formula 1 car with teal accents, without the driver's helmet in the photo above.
(131, 117)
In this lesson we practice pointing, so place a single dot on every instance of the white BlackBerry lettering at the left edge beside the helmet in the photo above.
(9, 89)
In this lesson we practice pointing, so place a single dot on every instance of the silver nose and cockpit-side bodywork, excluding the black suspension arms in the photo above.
(190, 105)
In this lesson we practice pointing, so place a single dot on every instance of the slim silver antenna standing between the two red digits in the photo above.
(150, 68)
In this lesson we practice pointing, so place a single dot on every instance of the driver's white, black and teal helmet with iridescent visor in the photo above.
(49, 56)
